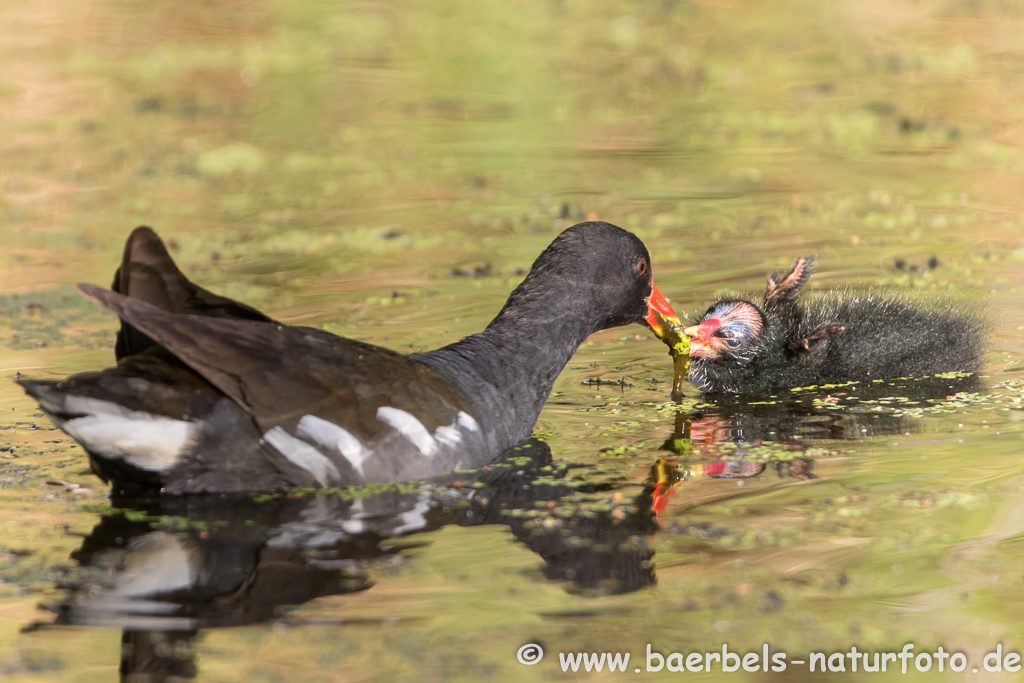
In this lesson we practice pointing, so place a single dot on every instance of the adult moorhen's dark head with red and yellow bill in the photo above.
(595, 271)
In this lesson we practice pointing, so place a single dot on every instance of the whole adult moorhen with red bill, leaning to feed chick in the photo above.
(210, 395)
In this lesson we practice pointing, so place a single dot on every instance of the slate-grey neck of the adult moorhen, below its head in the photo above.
(508, 370)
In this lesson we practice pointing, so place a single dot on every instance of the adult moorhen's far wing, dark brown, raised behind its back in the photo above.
(149, 274)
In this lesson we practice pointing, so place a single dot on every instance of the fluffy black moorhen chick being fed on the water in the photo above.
(743, 348)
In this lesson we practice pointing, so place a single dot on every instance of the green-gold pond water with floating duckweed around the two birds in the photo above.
(389, 172)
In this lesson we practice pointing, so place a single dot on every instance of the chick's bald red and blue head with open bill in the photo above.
(729, 331)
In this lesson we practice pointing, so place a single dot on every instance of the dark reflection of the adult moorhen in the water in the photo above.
(246, 560)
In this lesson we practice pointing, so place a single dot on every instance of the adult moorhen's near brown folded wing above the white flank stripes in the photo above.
(279, 374)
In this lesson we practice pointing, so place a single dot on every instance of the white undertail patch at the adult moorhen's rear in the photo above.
(148, 442)
